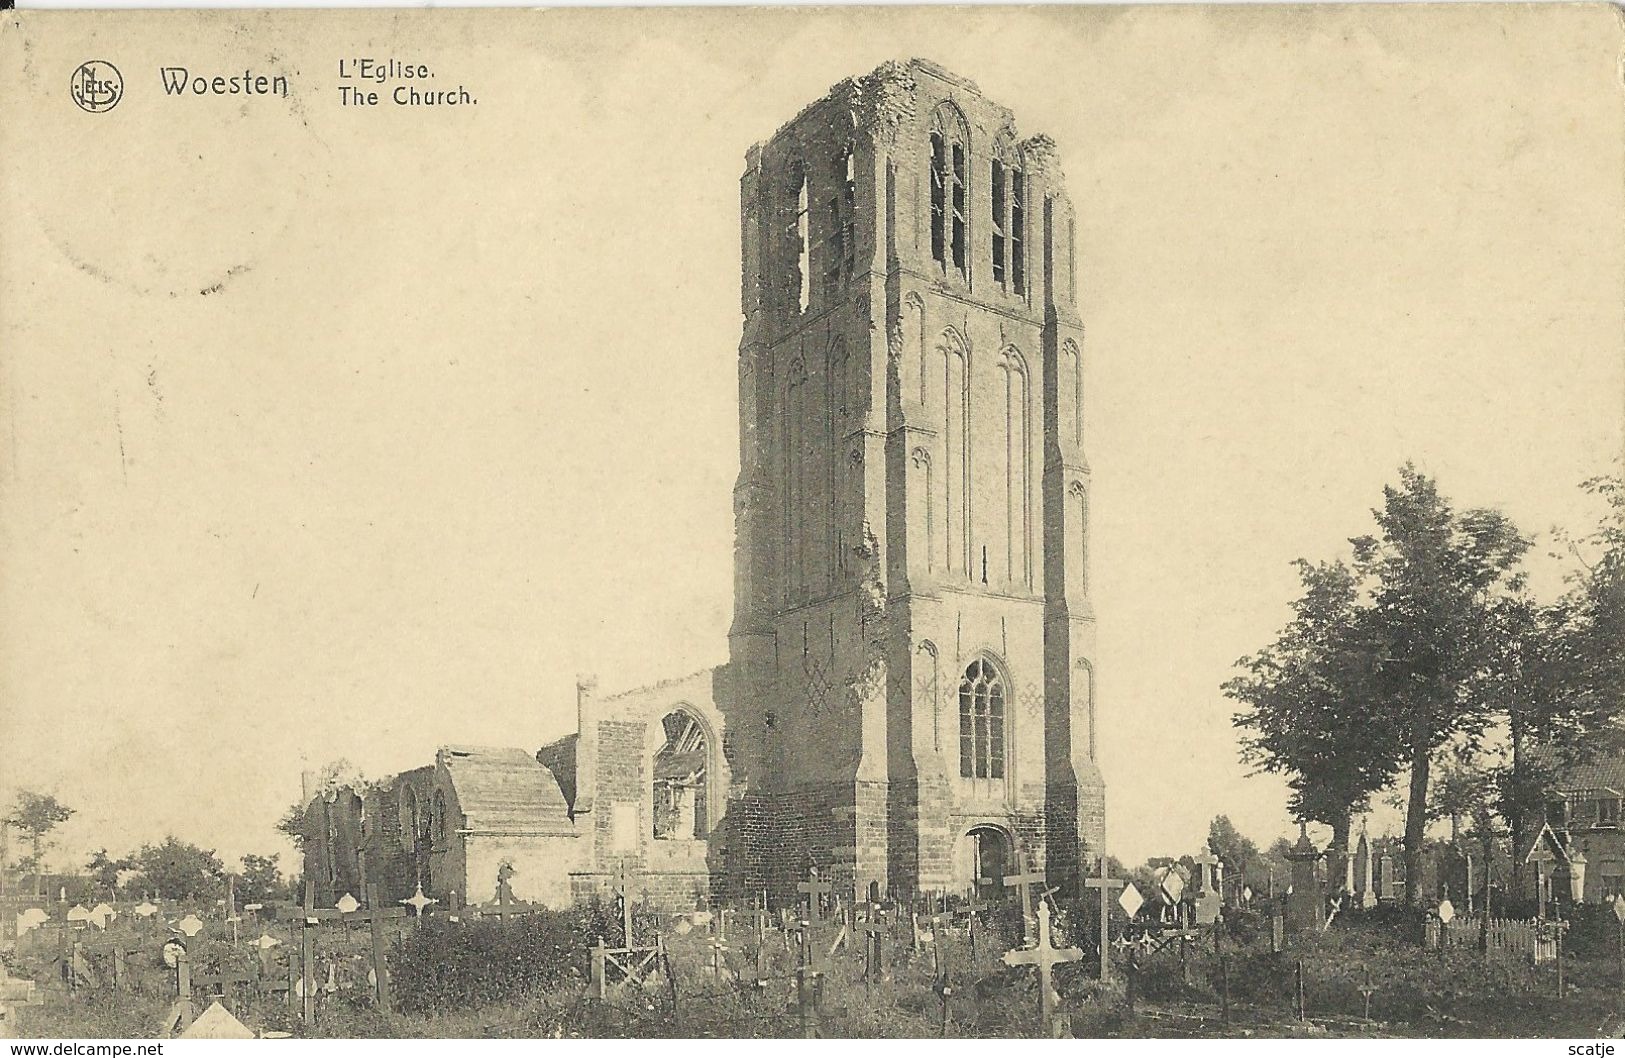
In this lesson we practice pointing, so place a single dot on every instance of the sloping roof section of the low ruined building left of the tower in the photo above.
(505, 791)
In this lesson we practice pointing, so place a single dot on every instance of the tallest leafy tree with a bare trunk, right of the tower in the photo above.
(1436, 575)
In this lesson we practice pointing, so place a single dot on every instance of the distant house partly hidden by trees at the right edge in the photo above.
(1582, 815)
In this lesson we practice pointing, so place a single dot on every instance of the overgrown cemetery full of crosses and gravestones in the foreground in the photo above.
(1010, 958)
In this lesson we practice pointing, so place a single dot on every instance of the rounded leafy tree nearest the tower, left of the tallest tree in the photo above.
(1309, 706)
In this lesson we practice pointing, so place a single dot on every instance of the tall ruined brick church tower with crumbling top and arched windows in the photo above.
(911, 695)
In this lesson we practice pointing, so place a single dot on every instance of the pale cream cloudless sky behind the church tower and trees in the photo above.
(459, 422)
